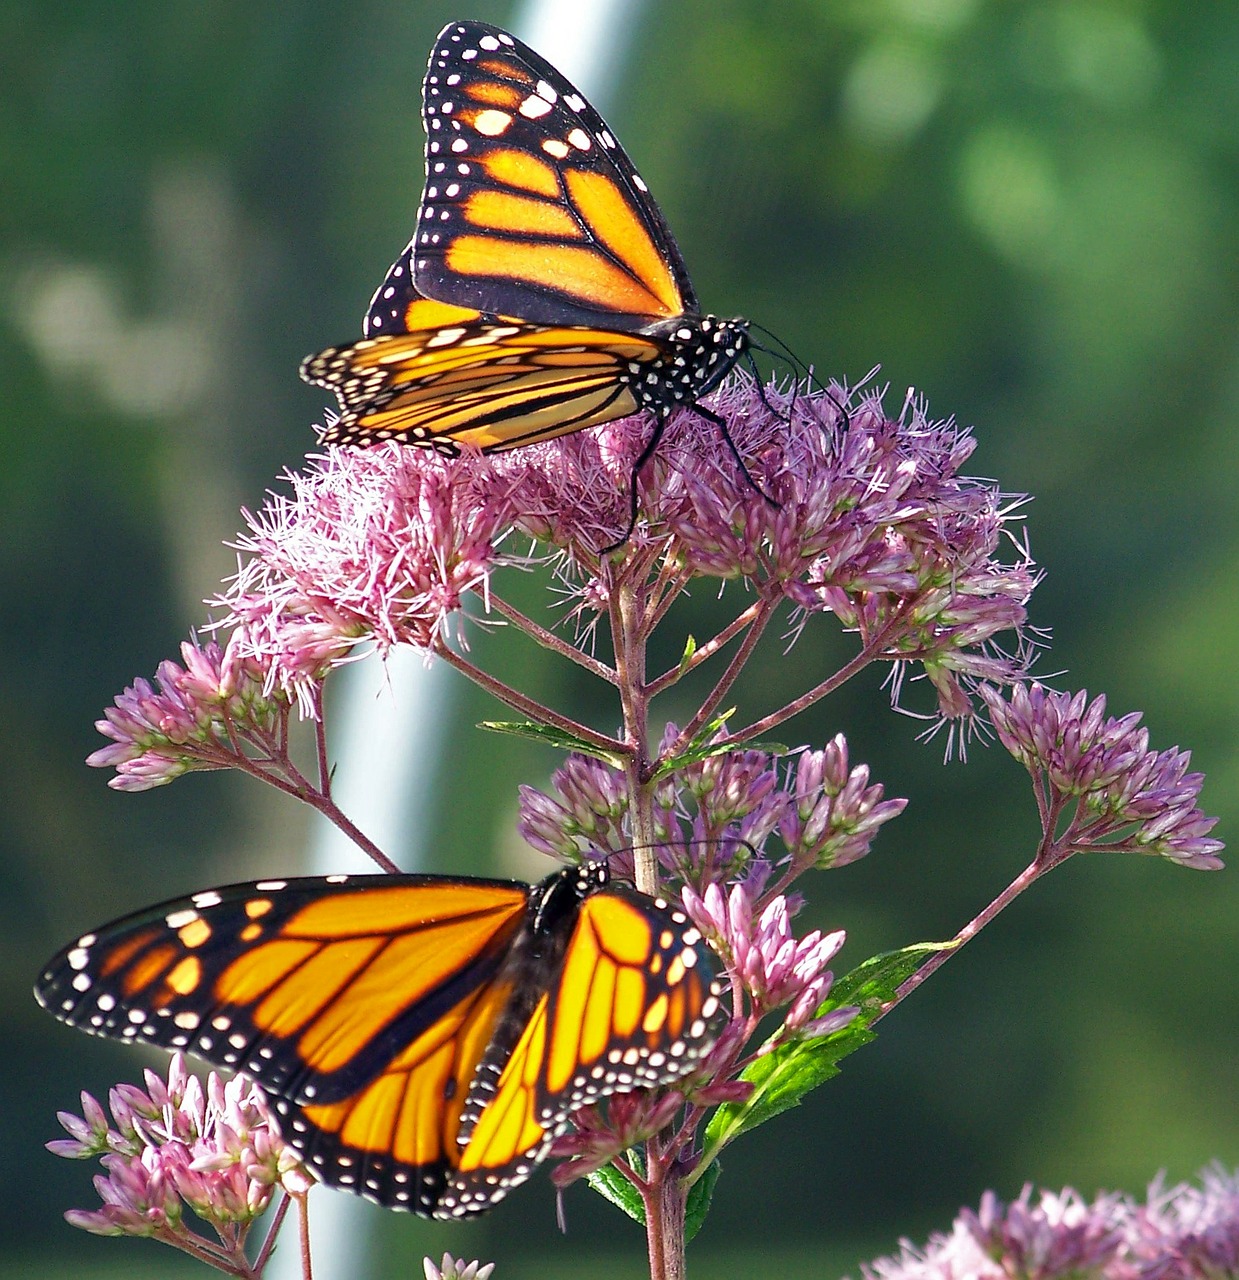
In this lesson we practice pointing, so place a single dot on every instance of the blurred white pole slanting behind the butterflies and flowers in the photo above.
(388, 726)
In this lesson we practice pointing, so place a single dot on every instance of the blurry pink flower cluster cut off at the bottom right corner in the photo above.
(1187, 1232)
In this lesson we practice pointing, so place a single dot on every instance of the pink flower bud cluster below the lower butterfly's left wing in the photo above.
(216, 1150)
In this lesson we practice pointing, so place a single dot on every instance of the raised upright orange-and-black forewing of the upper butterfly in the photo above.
(532, 208)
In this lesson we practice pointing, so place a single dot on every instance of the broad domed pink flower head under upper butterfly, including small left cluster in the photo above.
(868, 519)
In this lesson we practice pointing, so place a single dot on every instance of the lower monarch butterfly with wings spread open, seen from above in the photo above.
(424, 1040)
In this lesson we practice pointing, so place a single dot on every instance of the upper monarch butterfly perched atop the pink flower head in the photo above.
(542, 291)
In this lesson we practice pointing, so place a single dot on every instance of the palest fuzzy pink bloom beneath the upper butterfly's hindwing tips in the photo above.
(378, 546)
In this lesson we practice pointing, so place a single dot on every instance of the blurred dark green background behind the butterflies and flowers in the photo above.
(1027, 212)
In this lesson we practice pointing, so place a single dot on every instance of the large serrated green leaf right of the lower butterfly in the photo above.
(784, 1076)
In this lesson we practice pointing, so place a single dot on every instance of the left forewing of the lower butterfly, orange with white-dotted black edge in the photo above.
(301, 984)
